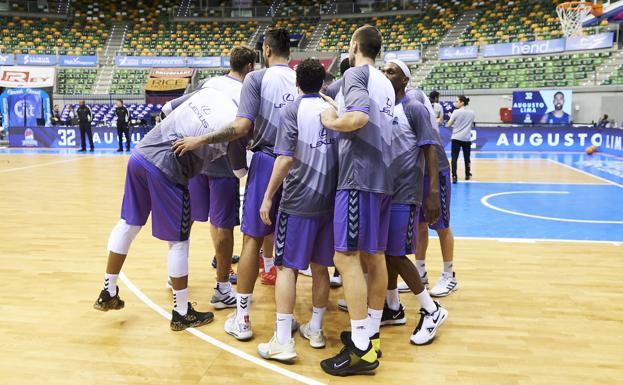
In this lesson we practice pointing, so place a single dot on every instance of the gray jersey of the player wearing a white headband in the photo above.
(412, 130)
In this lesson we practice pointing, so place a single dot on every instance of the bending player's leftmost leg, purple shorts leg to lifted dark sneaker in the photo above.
(134, 213)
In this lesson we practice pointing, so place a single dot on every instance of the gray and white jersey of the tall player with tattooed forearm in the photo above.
(265, 93)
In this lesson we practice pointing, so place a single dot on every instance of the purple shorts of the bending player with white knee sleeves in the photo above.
(147, 189)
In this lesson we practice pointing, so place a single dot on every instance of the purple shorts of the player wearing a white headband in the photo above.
(402, 232)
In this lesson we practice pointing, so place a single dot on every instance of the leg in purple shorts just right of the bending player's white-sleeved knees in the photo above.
(224, 207)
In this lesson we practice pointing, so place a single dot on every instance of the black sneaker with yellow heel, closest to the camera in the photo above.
(350, 361)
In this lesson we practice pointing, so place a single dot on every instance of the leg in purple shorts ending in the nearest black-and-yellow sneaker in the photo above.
(350, 237)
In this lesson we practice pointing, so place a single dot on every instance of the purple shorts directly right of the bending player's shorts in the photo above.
(217, 199)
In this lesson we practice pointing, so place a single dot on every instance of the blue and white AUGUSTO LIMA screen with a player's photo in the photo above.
(543, 107)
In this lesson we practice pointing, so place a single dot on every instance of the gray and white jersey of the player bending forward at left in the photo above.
(205, 111)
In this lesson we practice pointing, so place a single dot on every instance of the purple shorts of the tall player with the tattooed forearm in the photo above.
(257, 181)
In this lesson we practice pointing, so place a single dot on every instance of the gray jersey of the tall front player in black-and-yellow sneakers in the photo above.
(364, 155)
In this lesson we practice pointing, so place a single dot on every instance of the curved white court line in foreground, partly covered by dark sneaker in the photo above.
(212, 341)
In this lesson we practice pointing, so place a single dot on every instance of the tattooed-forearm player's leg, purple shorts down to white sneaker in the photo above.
(254, 231)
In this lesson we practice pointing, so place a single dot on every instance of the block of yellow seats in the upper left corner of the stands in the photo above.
(80, 36)
